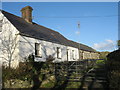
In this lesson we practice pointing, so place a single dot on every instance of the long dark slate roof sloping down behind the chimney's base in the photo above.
(40, 32)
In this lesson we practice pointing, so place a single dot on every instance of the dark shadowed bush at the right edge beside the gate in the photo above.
(113, 64)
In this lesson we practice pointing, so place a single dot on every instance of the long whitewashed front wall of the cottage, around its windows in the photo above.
(27, 47)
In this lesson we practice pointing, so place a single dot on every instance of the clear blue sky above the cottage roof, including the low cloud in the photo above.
(98, 20)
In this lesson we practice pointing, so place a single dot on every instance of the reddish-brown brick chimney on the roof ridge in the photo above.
(27, 14)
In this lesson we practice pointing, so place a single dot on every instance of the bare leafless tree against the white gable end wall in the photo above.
(8, 41)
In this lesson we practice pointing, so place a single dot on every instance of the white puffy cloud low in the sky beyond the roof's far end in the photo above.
(106, 45)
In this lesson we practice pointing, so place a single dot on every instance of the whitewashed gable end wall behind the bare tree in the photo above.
(8, 42)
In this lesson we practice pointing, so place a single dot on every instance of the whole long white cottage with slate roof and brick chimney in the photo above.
(20, 37)
